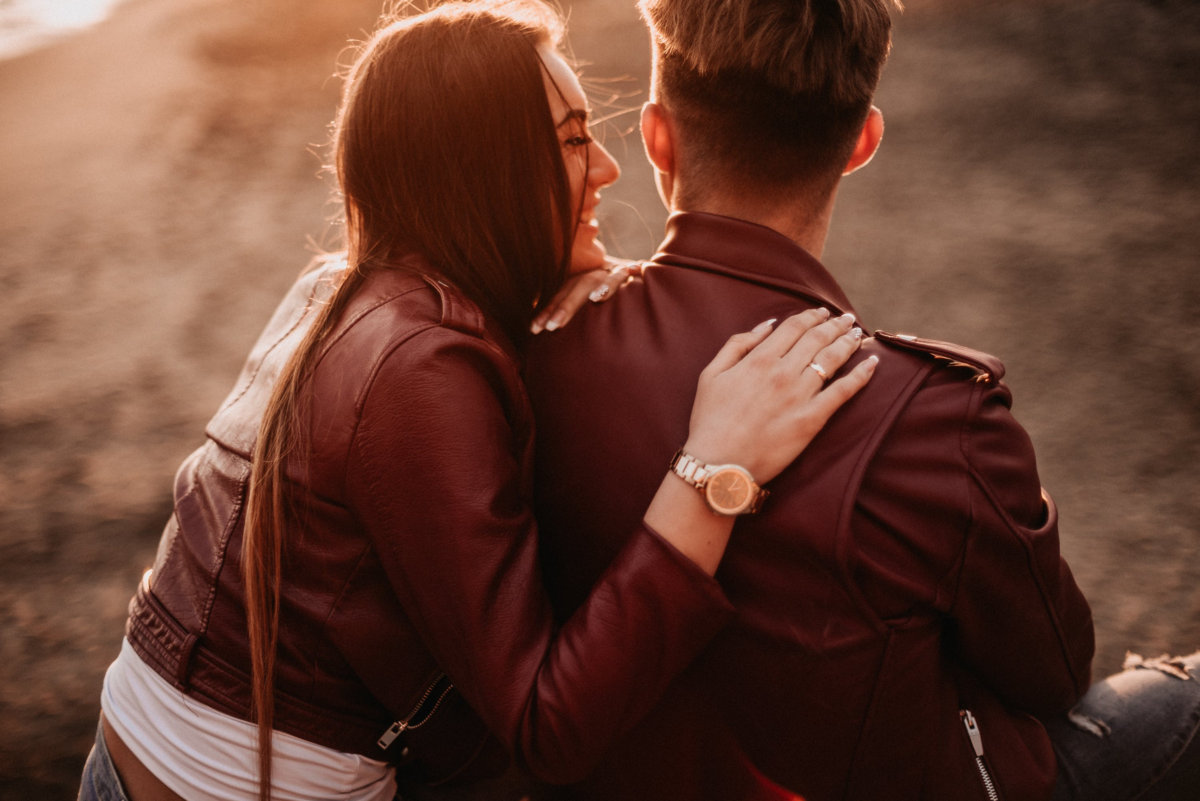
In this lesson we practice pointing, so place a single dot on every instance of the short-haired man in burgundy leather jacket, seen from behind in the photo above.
(904, 613)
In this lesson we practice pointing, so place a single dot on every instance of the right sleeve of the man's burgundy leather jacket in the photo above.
(1023, 625)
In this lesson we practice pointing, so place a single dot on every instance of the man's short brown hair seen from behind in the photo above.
(769, 92)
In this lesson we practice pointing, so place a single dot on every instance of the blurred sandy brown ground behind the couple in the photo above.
(1037, 196)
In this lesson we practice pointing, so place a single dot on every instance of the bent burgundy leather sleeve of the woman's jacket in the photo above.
(436, 480)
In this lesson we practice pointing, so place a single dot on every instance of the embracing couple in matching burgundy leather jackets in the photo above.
(459, 534)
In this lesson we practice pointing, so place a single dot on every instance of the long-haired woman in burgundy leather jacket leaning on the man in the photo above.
(350, 588)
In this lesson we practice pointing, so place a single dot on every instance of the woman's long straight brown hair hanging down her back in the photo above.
(445, 147)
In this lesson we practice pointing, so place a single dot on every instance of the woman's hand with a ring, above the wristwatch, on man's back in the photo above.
(761, 402)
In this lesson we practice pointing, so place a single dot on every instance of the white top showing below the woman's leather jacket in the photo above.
(208, 756)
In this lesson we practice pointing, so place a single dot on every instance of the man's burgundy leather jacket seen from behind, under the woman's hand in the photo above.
(904, 569)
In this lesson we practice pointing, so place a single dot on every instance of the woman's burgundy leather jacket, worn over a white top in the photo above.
(416, 563)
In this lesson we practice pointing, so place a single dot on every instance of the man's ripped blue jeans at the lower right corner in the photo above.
(1133, 737)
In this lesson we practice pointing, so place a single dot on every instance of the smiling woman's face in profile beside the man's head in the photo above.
(590, 167)
